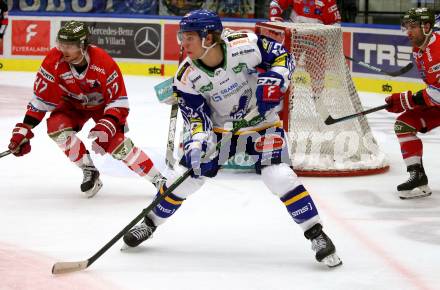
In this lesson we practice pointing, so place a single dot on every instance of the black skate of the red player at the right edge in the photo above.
(417, 184)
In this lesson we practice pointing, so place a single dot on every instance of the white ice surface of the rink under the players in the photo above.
(233, 234)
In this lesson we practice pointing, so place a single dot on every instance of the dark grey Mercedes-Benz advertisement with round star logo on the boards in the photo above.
(127, 40)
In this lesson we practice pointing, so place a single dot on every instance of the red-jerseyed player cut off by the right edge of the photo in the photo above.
(420, 111)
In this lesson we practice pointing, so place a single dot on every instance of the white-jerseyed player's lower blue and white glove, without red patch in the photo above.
(195, 150)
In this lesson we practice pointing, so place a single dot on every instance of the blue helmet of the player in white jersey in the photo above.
(201, 21)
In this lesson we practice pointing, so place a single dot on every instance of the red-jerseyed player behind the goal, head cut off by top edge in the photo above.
(306, 11)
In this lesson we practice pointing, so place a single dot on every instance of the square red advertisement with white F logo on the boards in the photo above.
(30, 37)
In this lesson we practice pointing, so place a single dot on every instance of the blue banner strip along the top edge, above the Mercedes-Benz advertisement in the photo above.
(88, 6)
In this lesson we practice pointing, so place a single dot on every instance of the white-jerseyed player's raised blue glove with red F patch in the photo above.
(269, 91)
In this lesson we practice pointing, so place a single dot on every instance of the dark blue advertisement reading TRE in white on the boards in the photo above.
(389, 52)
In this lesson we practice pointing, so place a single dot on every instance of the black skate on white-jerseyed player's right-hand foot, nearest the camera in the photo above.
(323, 246)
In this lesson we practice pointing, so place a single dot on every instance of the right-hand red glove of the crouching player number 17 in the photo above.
(103, 132)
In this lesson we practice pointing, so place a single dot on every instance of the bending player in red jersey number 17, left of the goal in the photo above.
(76, 82)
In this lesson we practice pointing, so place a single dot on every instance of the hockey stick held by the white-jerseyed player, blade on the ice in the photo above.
(67, 267)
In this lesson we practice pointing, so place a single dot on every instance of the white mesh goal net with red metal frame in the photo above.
(321, 86)
